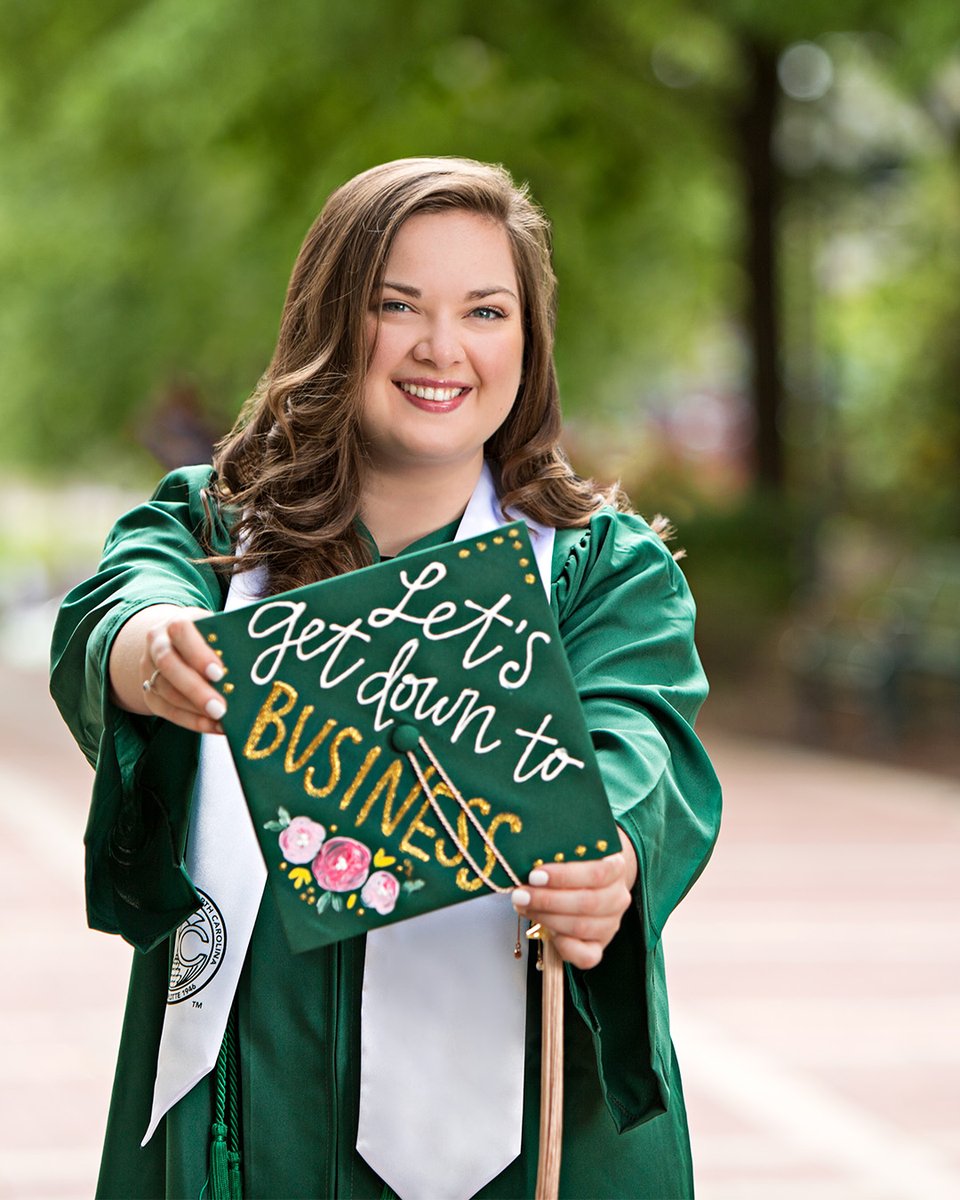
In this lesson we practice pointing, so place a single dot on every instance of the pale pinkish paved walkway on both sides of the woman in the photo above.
(815, 977)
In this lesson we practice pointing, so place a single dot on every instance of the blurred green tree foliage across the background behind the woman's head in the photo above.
(163, 160)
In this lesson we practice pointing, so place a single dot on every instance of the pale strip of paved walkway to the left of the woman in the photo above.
(63, 1003)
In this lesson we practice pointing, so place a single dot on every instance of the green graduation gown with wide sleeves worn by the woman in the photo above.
(627, 621)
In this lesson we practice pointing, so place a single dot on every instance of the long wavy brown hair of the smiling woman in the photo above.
(293, 465)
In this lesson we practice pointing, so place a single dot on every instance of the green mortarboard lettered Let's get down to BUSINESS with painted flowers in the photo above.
(407, 731)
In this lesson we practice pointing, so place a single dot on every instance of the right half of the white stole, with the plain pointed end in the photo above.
(443, 1015)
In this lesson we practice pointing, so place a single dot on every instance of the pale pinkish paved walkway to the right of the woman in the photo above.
(815, 983)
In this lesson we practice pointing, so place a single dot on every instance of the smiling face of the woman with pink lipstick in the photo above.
(447, 338)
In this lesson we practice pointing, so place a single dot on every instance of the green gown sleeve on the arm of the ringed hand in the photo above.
(136, 833)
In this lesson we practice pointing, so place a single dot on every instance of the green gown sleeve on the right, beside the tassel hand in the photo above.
(627, 622)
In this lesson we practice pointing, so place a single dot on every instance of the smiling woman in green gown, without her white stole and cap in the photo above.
(416, 345)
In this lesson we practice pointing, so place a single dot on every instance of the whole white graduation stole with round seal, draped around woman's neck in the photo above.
(451, 975)
